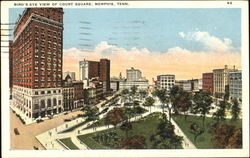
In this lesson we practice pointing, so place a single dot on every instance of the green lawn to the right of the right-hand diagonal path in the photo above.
(204, 140)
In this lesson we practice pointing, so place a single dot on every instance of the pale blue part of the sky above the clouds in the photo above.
(154, 29)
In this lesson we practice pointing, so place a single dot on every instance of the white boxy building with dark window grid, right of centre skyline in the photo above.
(165, 81)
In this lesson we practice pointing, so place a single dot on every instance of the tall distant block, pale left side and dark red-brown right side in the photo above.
(92, 69)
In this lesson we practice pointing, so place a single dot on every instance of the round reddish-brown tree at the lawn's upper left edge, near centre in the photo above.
(115, 116)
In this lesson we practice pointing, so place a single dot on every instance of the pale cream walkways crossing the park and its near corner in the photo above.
(51, 139)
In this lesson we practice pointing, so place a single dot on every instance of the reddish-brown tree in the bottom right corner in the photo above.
(227, 136)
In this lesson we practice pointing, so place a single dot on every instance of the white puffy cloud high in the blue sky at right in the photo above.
(211, 43)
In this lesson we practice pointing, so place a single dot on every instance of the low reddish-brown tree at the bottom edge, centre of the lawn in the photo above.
(134, 142)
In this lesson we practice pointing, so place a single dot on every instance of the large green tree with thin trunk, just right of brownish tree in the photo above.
(202, 104)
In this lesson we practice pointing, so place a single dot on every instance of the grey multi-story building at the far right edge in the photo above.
(235, 84)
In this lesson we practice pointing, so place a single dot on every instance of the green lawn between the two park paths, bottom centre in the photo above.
(145, 127)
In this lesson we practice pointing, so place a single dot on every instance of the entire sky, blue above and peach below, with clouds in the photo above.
(185, 42)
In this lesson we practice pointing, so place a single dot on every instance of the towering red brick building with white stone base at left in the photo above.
(37, 63)
